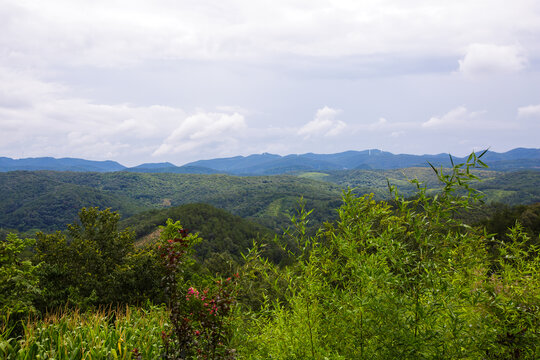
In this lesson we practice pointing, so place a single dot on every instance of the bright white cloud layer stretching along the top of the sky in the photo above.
(122, 32)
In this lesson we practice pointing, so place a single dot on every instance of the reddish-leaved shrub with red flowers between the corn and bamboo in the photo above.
(199, 321)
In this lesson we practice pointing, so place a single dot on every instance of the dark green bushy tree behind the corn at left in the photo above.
(95, 263)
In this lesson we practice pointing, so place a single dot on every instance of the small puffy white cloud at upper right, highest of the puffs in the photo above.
(488, 59)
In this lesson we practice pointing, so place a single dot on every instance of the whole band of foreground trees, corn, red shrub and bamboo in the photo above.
(401, 279)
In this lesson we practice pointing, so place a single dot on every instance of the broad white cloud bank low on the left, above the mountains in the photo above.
(43, 119)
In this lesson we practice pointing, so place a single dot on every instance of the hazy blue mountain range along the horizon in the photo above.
(270, 164)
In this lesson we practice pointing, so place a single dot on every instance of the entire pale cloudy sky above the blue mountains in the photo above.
(183, 80)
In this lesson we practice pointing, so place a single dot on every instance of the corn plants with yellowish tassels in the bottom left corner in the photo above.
(107, 333)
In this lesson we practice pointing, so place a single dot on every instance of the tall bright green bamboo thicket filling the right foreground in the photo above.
(403, 282)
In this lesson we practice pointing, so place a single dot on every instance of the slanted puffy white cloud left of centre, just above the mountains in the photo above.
(203, 130)
